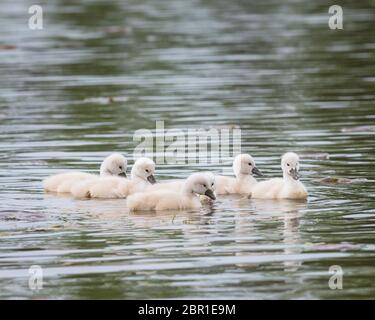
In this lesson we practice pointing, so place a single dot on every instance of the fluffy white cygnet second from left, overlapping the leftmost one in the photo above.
(142, 175)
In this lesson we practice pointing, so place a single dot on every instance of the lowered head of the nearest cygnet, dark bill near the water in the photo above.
(201, 183)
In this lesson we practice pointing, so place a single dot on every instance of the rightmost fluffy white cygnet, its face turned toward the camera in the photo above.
(288, 187)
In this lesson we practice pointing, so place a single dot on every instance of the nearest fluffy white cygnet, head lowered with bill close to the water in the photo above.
(186, 198)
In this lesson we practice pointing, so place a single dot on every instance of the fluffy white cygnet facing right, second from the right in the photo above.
(244, 168)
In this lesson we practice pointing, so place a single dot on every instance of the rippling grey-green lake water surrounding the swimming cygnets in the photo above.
(78, 89)
